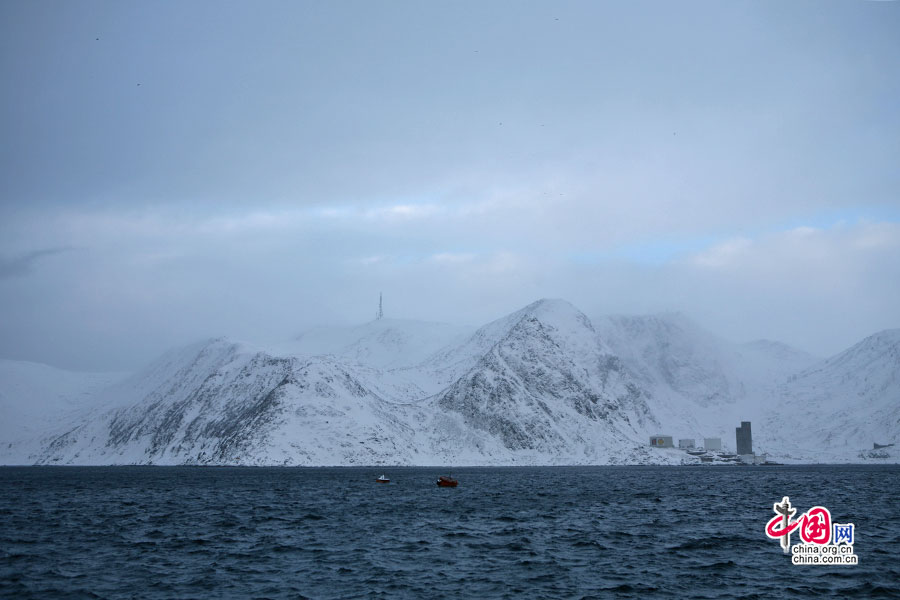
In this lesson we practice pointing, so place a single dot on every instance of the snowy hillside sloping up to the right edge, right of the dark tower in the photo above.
(841, 406)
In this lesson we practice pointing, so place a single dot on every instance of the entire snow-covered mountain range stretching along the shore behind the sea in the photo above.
(543, 385)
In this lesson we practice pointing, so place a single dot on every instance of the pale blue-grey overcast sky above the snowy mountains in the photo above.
(175, 170)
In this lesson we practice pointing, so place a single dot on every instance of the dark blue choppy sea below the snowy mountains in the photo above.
(179, 532)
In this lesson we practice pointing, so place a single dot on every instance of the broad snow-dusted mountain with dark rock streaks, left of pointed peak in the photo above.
(228, 403)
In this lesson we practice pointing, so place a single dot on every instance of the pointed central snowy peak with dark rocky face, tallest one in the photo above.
(546, 387)
